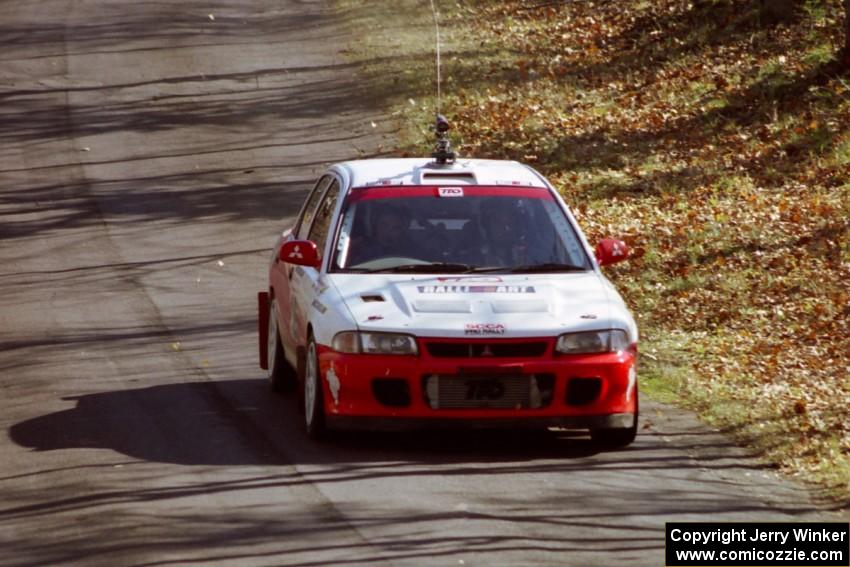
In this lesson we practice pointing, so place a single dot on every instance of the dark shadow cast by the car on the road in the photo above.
(112, 420)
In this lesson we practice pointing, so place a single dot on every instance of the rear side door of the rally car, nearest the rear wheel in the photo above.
(281, 272)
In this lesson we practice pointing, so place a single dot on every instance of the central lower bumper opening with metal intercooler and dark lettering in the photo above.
(478, 391)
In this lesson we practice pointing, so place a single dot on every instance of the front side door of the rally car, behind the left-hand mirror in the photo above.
(306, 282)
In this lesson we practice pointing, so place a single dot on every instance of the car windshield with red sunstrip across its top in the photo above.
(456, 230)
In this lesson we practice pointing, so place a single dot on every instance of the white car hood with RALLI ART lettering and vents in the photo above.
(482, 306)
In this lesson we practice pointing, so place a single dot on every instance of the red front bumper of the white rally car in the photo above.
(349, 384)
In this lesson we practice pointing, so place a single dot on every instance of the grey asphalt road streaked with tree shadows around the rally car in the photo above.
(150, 152)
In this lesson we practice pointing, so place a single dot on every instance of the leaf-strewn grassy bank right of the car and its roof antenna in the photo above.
(719, 148)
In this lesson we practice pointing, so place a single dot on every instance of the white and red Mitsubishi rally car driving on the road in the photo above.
(416, 293)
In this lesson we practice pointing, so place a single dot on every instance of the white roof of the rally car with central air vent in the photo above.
(424, 171)
